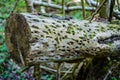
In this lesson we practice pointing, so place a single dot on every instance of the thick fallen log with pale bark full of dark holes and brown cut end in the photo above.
(34, 39)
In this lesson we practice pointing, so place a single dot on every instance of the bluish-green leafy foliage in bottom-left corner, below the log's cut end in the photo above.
(10, 72)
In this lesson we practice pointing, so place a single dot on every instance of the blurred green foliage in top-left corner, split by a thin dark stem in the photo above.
(6, 6)
